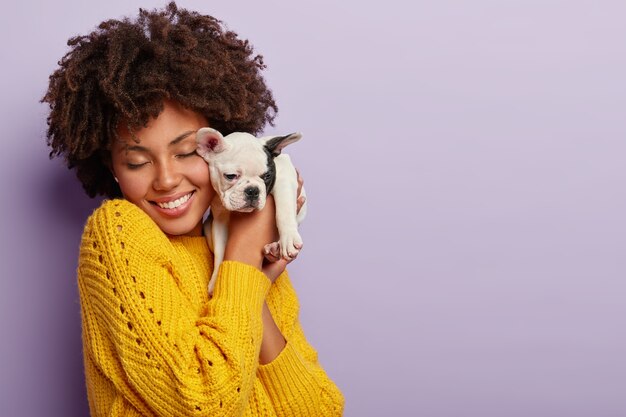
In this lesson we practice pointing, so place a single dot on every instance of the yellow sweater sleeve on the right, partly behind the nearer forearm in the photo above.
(295, 381)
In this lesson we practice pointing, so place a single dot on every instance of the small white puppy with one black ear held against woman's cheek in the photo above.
(244, 169)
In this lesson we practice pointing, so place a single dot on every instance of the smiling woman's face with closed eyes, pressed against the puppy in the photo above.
(162, 173)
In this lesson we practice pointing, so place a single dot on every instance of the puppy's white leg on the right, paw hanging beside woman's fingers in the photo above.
(285, 194)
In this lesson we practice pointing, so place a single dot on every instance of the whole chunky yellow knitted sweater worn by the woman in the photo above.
(155, 345)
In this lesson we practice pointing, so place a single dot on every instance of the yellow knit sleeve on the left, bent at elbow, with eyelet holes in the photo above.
(164, 355)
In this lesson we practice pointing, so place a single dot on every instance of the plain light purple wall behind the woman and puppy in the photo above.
(464, 161)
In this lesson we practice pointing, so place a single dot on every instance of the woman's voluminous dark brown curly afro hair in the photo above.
(124, 71)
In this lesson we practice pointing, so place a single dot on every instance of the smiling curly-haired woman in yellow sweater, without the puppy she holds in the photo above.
(124, 107)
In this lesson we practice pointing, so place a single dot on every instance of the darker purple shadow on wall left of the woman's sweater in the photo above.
(67, 209)
